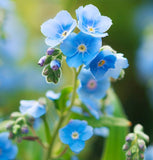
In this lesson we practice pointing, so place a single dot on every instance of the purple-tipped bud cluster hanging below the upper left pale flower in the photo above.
(52, 62)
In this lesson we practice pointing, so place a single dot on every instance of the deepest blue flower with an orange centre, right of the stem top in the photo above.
(104, 61)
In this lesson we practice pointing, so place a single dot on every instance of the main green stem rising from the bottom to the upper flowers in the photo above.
(64, 114)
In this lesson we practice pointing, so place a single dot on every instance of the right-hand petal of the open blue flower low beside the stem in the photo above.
(87, 133)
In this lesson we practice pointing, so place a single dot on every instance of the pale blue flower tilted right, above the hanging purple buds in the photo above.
(58, 28)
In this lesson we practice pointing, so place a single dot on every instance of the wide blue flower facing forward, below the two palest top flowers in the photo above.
(80, 49)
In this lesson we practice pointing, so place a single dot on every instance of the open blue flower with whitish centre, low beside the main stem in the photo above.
(75, 133)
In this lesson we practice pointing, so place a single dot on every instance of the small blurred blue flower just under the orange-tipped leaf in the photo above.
(102, 131)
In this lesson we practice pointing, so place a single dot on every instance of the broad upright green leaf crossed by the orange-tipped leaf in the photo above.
(116, 139)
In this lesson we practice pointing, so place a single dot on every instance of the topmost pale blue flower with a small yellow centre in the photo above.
(91, 22)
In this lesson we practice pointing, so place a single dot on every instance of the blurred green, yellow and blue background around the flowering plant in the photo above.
(22, 44)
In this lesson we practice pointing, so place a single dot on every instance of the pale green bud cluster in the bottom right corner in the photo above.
(136, 144)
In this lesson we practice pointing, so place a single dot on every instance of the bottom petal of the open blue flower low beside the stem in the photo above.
(77, 146)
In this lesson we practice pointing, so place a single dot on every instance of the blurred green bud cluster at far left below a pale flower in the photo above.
(18, 126)
